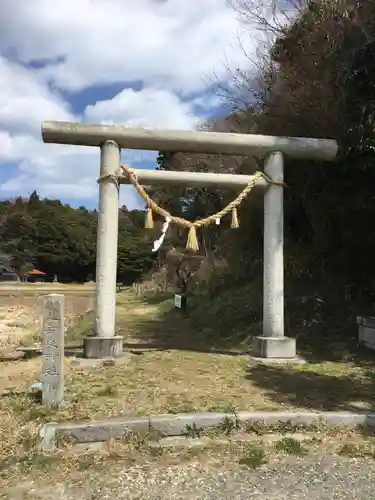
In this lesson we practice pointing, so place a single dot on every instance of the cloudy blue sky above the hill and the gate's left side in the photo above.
(134, 62)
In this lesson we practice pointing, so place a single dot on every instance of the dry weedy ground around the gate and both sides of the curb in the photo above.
(172, 369)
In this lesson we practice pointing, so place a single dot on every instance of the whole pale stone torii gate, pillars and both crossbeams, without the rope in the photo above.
(272, 343)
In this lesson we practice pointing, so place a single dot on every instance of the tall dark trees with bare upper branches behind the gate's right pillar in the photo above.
(316, 79)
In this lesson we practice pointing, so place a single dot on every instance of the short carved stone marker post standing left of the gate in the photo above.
(53, 350)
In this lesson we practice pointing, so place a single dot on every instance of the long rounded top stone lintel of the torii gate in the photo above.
(188, 141)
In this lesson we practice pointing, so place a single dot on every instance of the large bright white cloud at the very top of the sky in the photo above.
(173, 44)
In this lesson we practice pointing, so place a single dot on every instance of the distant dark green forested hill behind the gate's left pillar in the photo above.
(61, 240)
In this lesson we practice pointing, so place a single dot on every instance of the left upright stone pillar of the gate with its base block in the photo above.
(105, 343)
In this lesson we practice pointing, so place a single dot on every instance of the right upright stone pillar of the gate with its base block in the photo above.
(272, 343)
